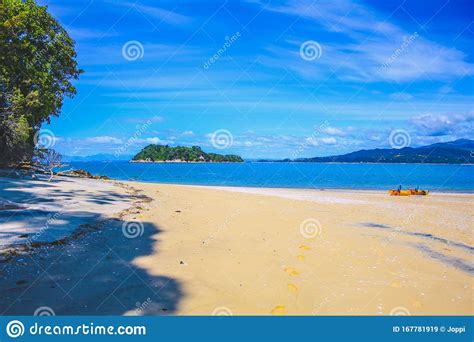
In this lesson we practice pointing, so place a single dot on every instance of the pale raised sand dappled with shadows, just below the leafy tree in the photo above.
(44, 211)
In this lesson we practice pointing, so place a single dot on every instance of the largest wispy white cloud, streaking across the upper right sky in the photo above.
(377, 49)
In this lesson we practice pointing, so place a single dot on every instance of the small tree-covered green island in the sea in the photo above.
(165, 153)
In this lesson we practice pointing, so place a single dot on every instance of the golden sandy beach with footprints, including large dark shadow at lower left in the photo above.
(190, 250)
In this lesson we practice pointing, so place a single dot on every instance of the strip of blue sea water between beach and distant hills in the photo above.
(292, 175)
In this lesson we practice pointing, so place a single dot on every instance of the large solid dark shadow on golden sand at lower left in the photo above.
(94, 275)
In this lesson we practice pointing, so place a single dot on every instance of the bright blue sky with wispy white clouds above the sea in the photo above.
(377, 67)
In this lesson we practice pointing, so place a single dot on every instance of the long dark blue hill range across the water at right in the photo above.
(455, 152)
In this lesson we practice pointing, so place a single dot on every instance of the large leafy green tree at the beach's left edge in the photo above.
(37, 66)
